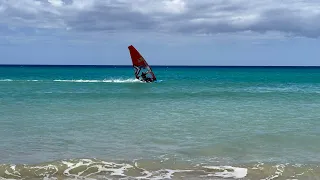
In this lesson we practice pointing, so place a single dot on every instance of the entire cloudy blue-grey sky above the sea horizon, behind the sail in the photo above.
(165, 32)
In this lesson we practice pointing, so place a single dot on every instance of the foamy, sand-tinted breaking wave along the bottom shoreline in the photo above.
(142, 169)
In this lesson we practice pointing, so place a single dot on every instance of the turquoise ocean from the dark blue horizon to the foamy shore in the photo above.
(98, 122)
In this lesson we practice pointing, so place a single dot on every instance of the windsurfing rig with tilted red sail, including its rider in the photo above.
(142, 70)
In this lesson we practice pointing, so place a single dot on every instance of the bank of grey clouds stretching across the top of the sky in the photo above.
(291, 17)
